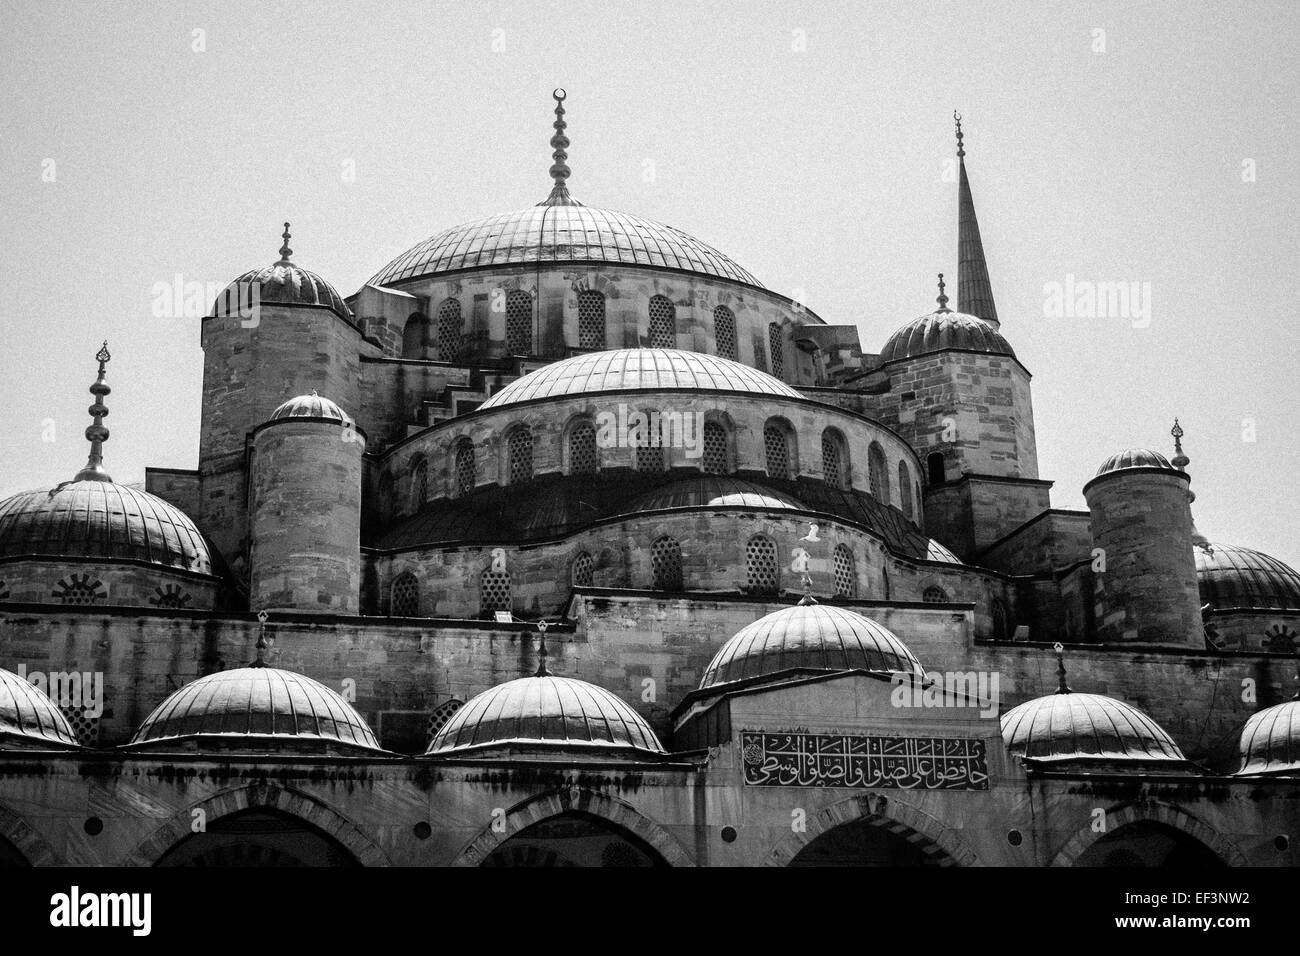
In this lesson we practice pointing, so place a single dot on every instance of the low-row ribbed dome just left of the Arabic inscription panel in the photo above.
(547, 711)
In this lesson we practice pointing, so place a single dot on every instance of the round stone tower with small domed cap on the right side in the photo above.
(1143, 565)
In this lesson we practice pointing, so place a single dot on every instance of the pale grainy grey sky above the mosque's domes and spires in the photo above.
(808, 142)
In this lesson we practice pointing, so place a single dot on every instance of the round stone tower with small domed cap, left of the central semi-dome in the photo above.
(306, 509)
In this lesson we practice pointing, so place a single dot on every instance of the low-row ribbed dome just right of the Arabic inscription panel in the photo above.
(1085, 725)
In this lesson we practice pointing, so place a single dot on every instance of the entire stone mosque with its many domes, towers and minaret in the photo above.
(565, 542)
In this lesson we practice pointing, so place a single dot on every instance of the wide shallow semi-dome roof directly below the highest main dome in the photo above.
(661, 370)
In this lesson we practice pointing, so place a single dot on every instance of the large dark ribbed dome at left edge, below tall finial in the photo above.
(101, 520)
